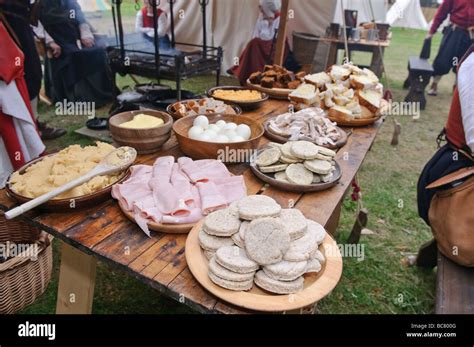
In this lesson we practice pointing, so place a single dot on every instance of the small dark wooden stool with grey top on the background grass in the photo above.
(420, 72)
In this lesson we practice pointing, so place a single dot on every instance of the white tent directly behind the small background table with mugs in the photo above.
(364, 13)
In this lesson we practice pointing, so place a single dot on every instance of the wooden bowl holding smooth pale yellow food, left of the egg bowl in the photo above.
(143, 140)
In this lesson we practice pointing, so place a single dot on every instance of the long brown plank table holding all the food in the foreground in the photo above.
(104, 233)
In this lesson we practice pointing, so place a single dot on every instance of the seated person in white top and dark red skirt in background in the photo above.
(261, 49)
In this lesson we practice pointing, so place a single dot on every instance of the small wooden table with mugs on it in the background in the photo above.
(377, 48)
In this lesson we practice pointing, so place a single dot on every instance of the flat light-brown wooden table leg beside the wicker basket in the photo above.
(76, 282)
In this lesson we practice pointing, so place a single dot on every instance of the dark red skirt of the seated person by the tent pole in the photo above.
(254, 58)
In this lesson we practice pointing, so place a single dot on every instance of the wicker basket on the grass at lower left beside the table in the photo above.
(23, 280)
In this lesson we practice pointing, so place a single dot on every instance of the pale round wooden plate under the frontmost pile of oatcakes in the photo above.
(316, 286)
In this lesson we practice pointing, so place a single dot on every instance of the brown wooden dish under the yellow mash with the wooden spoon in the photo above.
(65, 204)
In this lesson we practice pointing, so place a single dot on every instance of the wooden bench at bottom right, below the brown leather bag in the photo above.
(454, 283)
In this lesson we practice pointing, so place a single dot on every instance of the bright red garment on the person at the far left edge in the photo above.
(12, 71)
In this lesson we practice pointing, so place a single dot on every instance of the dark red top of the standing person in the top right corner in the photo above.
(461, 13)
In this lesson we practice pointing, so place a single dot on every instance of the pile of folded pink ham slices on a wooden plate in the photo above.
(177, 193)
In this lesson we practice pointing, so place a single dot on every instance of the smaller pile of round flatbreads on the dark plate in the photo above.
(298, 162)
